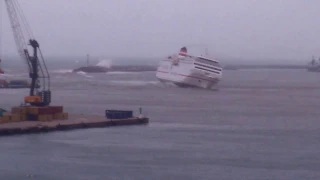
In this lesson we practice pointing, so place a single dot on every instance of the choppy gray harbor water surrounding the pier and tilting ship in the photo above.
(261, 124)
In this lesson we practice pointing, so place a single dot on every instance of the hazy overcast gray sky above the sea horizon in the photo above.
(254, 29)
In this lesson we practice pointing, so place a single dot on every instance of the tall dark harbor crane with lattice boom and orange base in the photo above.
(40, 94)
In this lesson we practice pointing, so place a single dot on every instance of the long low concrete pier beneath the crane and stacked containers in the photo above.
(74, 121)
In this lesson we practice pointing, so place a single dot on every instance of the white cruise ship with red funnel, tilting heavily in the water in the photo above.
(185, 70)
